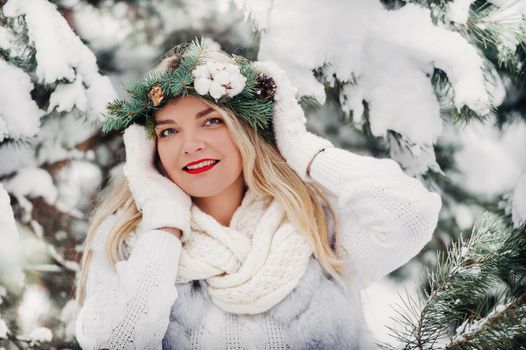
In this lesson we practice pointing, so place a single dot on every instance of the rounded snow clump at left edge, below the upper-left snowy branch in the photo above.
(19, 112)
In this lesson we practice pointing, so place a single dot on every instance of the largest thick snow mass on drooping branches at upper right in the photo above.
(386, 58)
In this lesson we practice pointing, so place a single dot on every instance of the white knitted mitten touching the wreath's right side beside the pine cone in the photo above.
(297, 145)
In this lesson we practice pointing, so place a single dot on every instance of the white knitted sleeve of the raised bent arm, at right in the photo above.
(384, 216)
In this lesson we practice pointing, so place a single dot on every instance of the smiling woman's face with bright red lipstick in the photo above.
(189, 132)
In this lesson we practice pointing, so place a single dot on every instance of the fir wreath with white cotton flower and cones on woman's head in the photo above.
(236, 86)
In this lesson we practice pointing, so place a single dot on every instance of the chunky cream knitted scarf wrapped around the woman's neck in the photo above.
(251, 265)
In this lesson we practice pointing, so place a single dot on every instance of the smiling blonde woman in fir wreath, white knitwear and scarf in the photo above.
(236, 228)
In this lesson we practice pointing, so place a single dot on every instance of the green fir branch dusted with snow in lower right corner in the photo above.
(492, 258)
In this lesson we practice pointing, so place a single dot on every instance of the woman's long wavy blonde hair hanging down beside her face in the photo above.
(265, 172)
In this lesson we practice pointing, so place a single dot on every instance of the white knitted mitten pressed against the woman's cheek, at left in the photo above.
(162, 202)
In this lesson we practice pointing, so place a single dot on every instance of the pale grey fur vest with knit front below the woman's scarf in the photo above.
(317, 314)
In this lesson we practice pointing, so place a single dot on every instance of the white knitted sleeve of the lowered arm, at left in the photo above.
(128, 307)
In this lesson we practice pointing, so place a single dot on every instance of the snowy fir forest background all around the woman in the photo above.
(437, 85)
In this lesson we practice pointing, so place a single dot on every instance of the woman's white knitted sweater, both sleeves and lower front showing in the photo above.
(384, 216)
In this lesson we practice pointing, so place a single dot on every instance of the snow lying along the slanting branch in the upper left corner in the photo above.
(60, 54)
